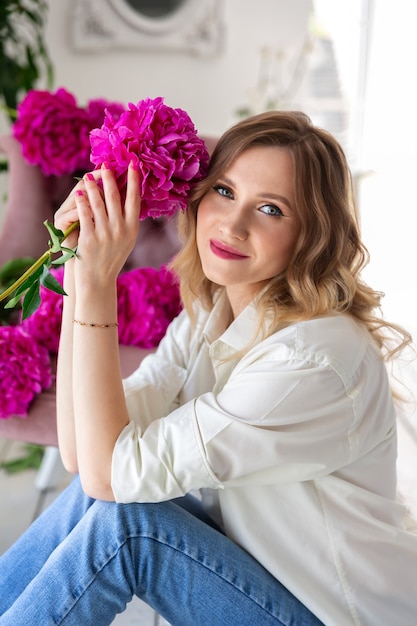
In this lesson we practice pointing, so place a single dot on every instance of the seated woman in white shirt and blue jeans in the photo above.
(269, 394)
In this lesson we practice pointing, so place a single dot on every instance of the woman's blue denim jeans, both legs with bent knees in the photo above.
(83, 560)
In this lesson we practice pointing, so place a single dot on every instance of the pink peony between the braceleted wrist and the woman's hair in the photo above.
(148, 300)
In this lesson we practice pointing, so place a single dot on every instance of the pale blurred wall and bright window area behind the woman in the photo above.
(348, 64)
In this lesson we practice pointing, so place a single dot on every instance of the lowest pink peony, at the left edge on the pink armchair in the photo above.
(25, 370)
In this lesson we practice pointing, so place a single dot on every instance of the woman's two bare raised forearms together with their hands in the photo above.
(92, 406)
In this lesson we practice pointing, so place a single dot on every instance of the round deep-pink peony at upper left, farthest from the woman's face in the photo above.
(53, 132)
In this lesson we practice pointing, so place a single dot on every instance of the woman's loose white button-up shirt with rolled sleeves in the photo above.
(294, 443)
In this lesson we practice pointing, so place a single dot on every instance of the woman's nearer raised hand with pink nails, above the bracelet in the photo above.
(108, 226)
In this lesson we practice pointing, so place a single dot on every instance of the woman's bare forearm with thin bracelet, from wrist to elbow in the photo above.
(99, 405)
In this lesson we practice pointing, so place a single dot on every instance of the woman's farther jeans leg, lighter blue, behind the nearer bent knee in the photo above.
(26, 557)
